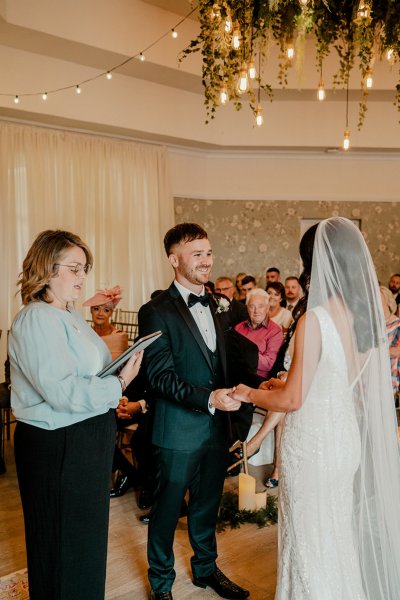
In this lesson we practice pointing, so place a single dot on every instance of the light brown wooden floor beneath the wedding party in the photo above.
(247, 555)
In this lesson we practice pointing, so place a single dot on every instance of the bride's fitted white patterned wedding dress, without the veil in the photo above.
(320, 454)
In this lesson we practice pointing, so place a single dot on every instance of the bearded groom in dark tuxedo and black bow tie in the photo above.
(186, 372)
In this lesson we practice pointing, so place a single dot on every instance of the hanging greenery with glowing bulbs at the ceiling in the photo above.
(235, 36)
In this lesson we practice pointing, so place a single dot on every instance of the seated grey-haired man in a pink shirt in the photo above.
(260, 330)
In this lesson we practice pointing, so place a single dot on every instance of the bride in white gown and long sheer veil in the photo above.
(339, 492)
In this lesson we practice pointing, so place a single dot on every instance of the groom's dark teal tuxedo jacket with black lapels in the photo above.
(180, 375)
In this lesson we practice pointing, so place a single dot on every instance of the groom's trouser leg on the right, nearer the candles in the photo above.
(205, 491)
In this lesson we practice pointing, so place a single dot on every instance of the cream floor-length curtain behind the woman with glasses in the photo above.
(114, 194)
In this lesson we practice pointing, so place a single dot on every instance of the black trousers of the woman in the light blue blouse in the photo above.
(64, 477)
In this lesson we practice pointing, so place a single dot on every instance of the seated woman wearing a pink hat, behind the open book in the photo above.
(102, 305)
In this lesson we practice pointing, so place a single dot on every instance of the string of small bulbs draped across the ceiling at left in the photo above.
(107, 74)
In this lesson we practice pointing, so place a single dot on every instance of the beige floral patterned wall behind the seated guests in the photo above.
(251, 236)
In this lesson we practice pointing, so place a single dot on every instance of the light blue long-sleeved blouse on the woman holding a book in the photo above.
(54, 358)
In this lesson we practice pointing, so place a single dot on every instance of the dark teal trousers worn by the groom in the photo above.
(202, 472)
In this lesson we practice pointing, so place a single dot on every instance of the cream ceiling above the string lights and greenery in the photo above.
(50, 44)
